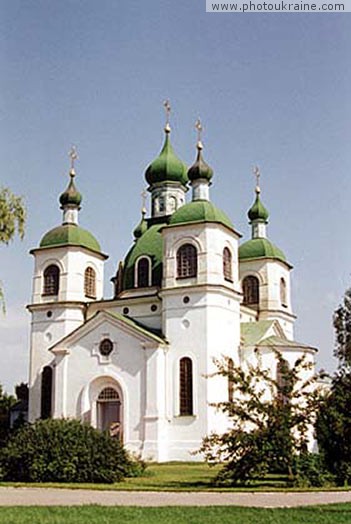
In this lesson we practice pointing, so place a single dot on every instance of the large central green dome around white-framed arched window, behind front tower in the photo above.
(150, 244)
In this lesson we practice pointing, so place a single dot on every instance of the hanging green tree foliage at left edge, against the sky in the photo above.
(12, 221)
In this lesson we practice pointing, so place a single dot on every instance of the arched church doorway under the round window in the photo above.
(109, 411)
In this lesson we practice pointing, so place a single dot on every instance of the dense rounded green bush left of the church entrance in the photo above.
(65, 451)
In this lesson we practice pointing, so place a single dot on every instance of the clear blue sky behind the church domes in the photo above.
(272, 90)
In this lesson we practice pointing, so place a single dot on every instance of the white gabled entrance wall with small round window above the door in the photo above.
(135, 367)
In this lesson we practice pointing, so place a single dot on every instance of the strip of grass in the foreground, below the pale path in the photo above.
(338, 514)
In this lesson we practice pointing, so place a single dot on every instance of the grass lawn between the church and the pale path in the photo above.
(173, 476)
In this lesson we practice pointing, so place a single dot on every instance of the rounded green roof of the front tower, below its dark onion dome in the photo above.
(200, 211)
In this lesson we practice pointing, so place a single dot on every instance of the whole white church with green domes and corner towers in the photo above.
(187, 291)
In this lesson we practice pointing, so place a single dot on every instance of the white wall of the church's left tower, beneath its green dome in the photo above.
(54, 317)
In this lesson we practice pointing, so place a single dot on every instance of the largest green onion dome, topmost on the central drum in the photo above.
(166, 167)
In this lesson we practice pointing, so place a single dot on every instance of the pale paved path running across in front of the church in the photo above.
(74, 497)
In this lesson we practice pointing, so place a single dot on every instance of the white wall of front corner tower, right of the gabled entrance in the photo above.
(201, 320)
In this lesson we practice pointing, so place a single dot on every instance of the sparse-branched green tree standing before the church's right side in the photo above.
(270, 420)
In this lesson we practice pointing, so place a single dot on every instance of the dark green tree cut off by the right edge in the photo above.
(334, 419)
